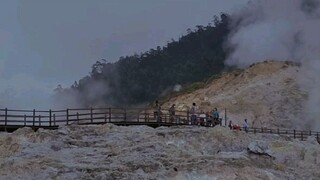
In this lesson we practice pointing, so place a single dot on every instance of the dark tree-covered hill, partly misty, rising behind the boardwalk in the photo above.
(142, 78)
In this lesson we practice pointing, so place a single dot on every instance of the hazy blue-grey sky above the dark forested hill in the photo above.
(44, 43)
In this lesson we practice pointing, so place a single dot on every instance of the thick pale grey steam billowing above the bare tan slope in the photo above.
(281, 30)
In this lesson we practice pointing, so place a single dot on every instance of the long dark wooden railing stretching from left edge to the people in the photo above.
(33, 118)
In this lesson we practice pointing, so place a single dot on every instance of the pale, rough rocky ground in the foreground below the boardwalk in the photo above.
(141, 152)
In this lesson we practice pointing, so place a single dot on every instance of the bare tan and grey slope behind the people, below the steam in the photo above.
(267, 94)
